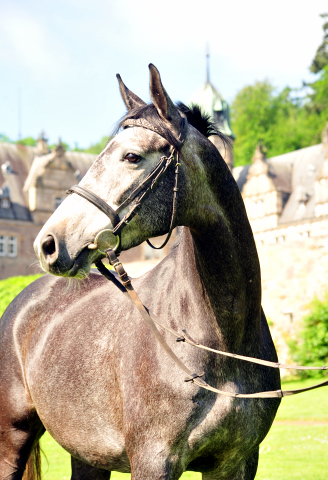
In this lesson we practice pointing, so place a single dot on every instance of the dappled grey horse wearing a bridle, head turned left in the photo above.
(78, 360)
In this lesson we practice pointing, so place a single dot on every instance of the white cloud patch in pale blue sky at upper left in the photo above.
(26, 42)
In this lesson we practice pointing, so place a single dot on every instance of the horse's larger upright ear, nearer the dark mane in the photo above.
(164, 105)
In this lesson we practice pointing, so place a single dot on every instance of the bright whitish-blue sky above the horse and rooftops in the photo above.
(59, 58)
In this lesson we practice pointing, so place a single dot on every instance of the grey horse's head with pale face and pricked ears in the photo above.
(149, 140)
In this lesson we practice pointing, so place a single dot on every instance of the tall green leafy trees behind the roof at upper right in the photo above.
(284, 120)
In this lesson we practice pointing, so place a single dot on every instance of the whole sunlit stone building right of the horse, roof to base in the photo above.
(286, 199)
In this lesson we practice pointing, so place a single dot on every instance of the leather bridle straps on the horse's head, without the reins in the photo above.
(111, 238)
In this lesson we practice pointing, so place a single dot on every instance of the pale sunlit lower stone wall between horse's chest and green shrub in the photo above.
(293, 273)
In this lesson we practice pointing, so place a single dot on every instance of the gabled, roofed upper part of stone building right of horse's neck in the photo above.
(286, 197)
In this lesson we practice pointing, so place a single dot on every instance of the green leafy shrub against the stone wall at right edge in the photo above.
(311, 347)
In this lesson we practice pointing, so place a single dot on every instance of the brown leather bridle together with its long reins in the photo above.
(109, 241)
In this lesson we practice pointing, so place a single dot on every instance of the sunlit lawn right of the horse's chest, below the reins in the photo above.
(296, 446)
